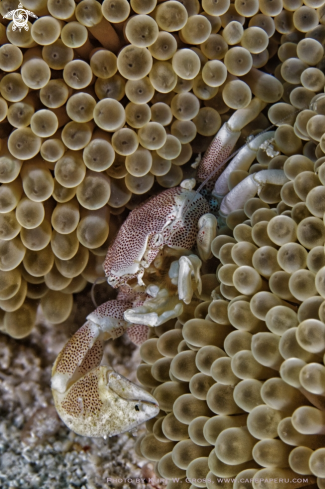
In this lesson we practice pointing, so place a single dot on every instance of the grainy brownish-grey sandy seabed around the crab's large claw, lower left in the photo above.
(36, 449)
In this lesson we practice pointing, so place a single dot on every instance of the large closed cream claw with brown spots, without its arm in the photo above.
(103, 403)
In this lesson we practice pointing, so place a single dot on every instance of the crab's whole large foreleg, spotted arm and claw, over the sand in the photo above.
(93, 400)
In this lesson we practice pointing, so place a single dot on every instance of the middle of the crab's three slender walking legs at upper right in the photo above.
(242, 161)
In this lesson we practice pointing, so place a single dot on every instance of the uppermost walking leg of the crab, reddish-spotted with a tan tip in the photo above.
(225, 140)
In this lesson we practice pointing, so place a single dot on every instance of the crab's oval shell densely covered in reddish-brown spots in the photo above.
(150, 227)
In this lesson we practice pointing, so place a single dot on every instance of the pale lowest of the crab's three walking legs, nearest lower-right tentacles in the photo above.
(249, 187)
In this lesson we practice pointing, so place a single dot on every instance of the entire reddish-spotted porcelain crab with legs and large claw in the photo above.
(92, 399)
